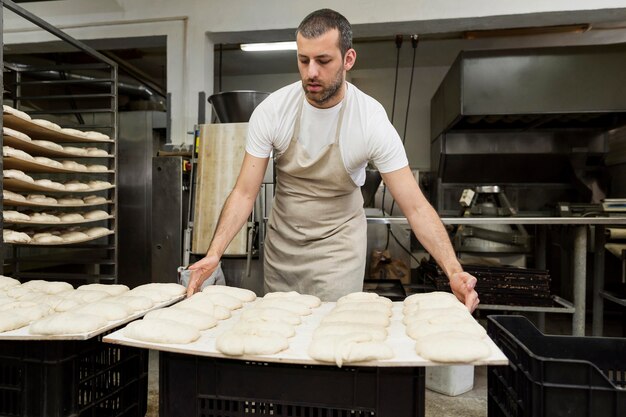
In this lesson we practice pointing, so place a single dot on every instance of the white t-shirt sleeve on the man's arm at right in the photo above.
(386, 150)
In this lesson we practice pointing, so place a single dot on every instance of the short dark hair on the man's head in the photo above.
(323, 20)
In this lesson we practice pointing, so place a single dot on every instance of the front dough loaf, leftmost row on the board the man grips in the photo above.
(161, 331)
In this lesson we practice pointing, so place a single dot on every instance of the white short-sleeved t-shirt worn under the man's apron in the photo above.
(366, 133)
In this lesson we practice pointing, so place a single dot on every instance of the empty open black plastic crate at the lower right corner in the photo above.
(551, 376)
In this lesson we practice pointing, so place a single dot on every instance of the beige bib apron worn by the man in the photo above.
(317, 232)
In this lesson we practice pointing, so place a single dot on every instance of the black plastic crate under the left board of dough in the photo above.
(62, 378)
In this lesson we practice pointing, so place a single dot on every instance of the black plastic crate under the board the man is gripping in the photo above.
(195, 386)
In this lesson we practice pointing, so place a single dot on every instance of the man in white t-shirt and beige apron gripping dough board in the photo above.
(323, 131)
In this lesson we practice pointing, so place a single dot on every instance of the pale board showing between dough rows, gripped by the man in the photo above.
(403, 346)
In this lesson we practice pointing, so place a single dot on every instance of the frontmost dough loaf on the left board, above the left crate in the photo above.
(67, 323)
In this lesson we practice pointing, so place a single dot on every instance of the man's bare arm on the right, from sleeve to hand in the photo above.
(431, 232)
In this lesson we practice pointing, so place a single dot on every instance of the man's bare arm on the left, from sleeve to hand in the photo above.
(234, 215)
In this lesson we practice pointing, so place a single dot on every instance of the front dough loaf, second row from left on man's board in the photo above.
(250, 342)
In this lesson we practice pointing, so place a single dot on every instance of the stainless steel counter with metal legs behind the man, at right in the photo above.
(579, 256)
